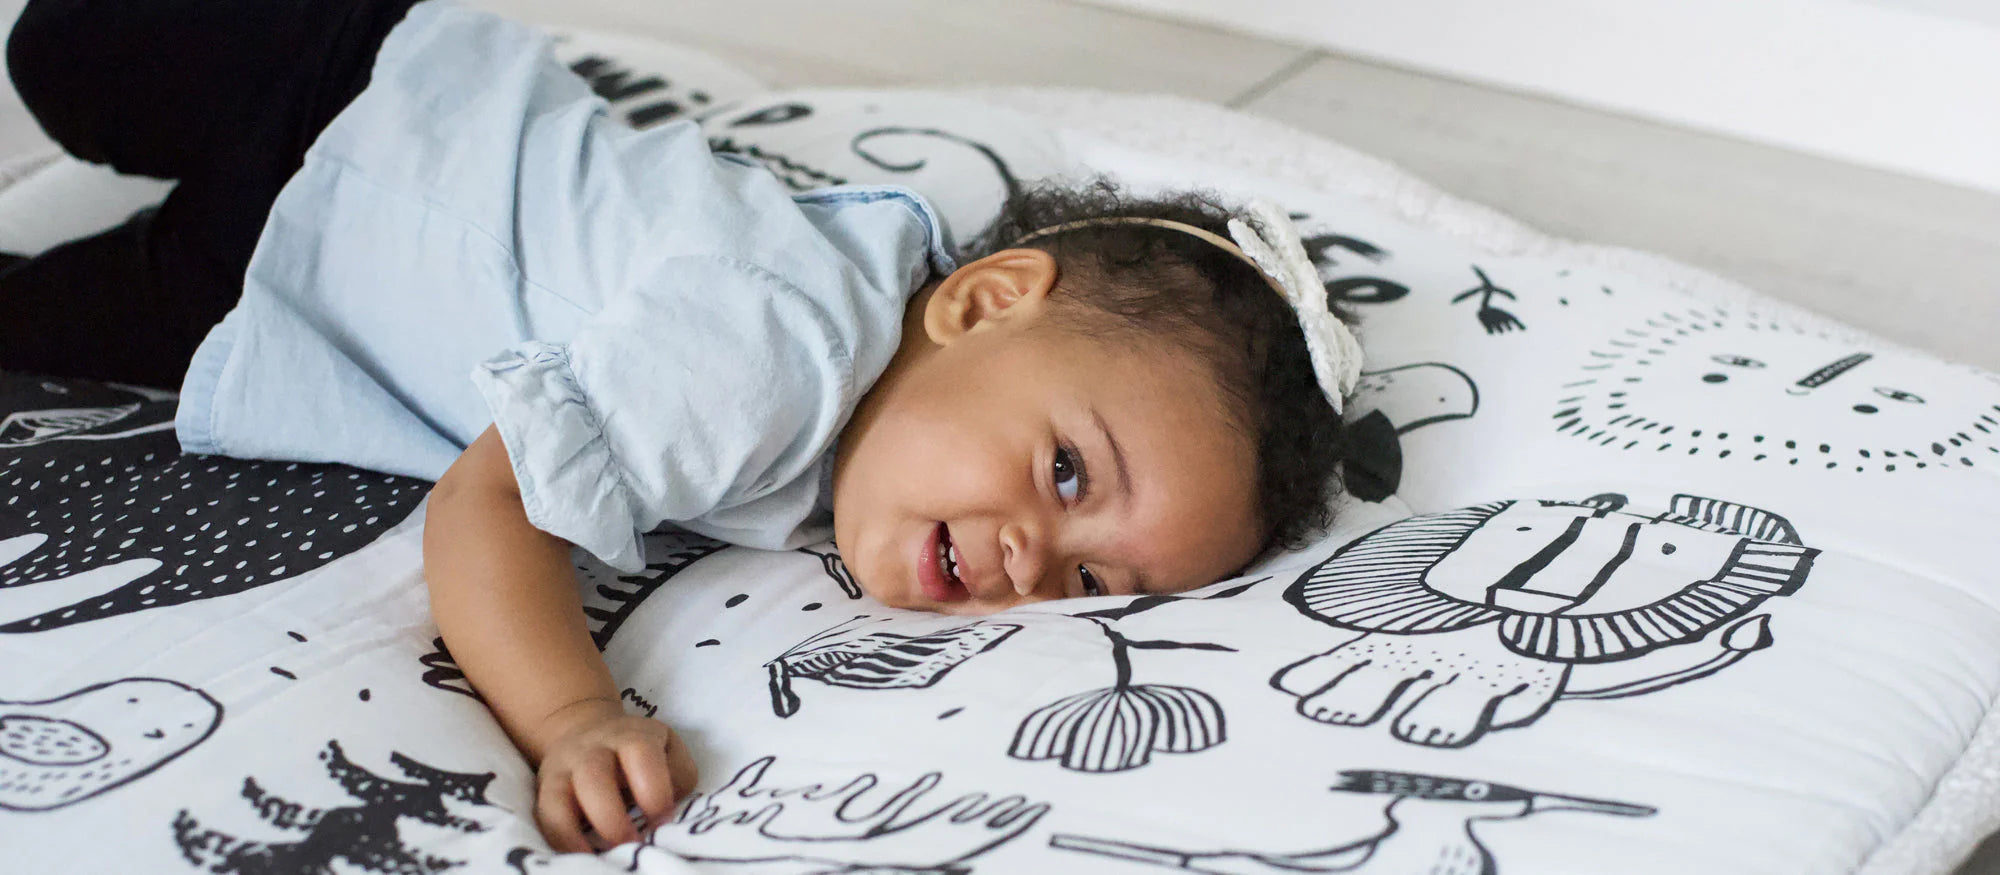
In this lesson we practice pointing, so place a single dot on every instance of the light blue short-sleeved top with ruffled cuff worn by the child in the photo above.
(661, 335)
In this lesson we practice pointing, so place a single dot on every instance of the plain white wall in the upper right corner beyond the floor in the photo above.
(1899, 85)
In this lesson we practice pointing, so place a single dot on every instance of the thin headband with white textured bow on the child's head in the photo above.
(1273, 249)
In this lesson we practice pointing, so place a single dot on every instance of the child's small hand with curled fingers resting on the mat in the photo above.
(599, 766)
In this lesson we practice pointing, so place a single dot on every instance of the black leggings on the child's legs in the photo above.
(223, 97)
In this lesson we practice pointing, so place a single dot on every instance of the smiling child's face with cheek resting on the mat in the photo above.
(1019, 462)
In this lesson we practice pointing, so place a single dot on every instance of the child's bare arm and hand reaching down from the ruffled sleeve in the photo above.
(505, 598)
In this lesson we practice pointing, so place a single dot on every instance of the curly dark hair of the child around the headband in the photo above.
(1181, 289)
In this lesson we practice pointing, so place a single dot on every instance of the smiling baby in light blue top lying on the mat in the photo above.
(1111, 397)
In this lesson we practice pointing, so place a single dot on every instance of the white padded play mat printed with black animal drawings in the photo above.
(1671, 578)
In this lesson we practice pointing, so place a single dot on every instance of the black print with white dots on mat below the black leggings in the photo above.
(217, 526)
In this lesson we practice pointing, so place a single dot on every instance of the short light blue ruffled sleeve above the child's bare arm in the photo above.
(707, 391)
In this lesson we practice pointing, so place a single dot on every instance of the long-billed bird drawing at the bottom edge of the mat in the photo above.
(1431, 830)
